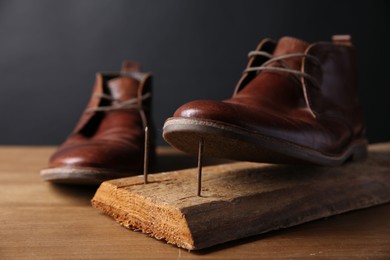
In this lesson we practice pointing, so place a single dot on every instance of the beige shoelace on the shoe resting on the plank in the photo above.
(298, 74)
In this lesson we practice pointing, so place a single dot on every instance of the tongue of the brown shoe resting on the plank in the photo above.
(289, 45)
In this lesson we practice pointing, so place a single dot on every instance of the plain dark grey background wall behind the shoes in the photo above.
(50, 51)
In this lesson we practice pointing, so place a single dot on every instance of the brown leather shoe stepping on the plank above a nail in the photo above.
(296, 103)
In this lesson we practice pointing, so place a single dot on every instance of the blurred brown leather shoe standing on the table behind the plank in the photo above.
(108, 141)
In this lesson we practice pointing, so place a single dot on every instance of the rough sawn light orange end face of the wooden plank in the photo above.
(156, 220)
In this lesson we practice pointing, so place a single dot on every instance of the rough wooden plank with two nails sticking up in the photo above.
(243, 199)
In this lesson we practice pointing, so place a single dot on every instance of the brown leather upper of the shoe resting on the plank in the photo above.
(326, 117)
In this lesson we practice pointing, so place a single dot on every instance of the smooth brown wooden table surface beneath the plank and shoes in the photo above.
(40, 220)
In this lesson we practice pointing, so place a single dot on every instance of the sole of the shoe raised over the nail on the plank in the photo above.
(231, 142)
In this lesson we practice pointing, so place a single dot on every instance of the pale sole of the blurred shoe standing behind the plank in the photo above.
(81, 176)
